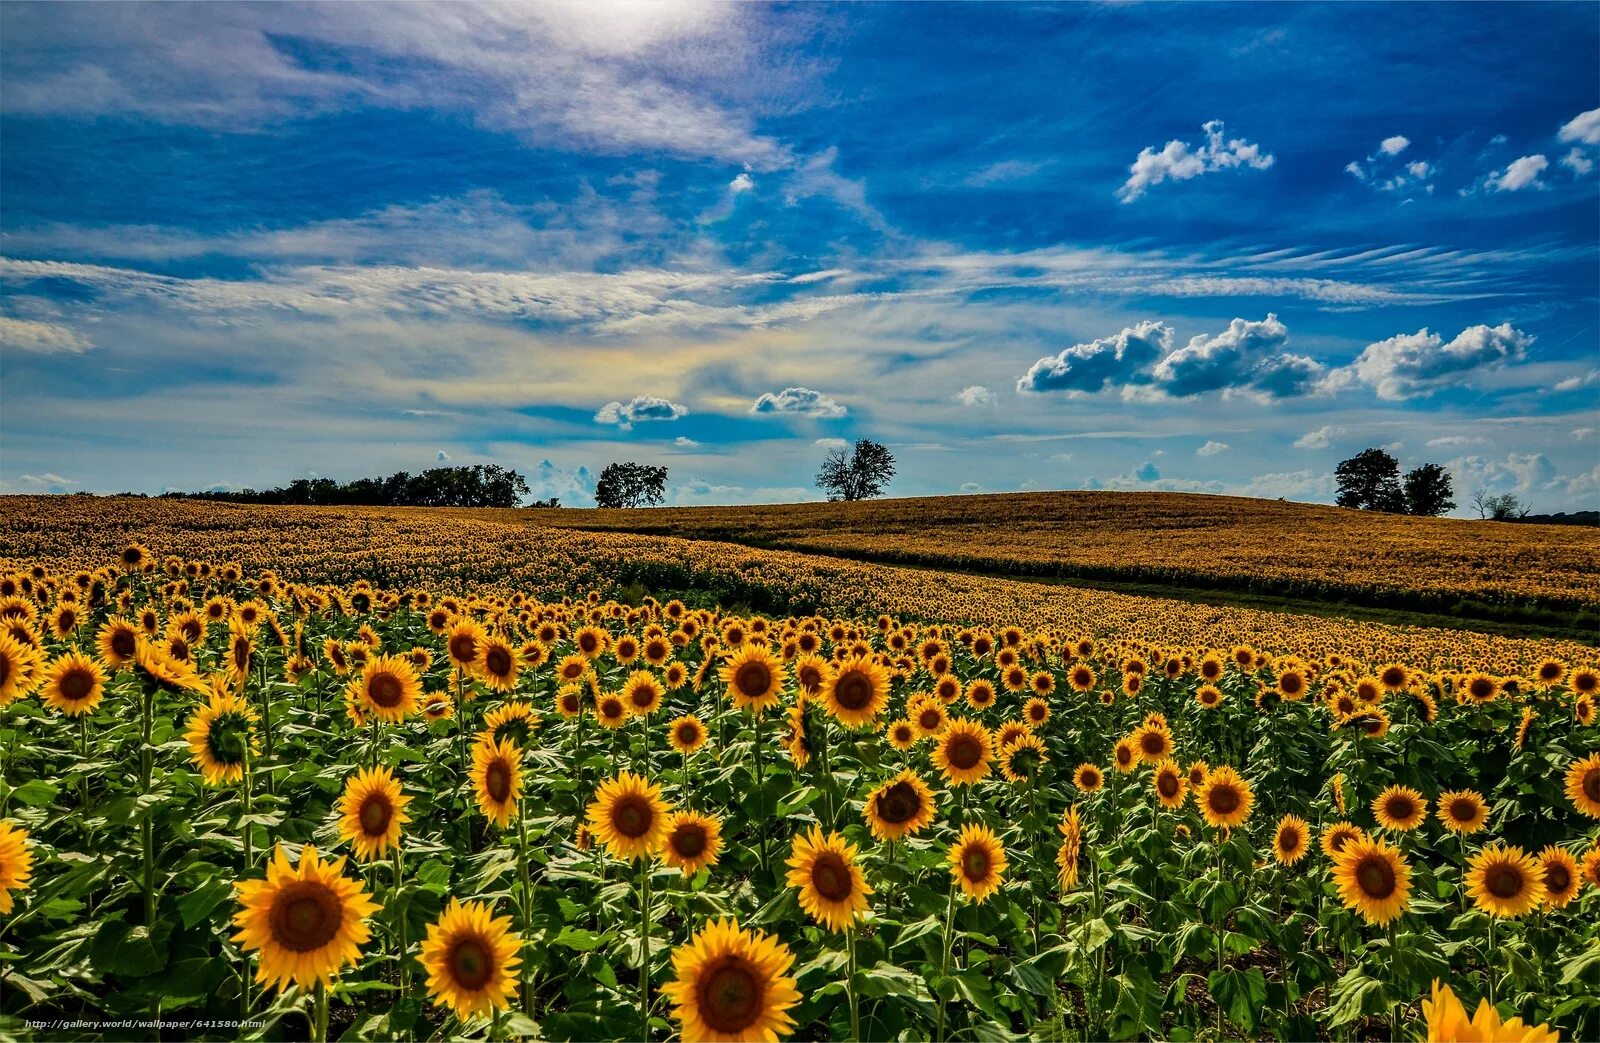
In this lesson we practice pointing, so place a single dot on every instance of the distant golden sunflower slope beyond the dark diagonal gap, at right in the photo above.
(1202, 541)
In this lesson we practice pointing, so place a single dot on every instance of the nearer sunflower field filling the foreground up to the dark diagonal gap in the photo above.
(590, 791)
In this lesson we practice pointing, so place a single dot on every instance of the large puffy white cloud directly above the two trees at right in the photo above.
(1423, 362)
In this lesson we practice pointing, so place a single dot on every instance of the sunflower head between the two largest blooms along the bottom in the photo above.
(471, 959)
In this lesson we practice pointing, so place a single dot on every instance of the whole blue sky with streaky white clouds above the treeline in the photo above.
(1161, 247)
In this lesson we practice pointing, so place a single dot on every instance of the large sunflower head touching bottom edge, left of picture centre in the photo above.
(732, 986)
